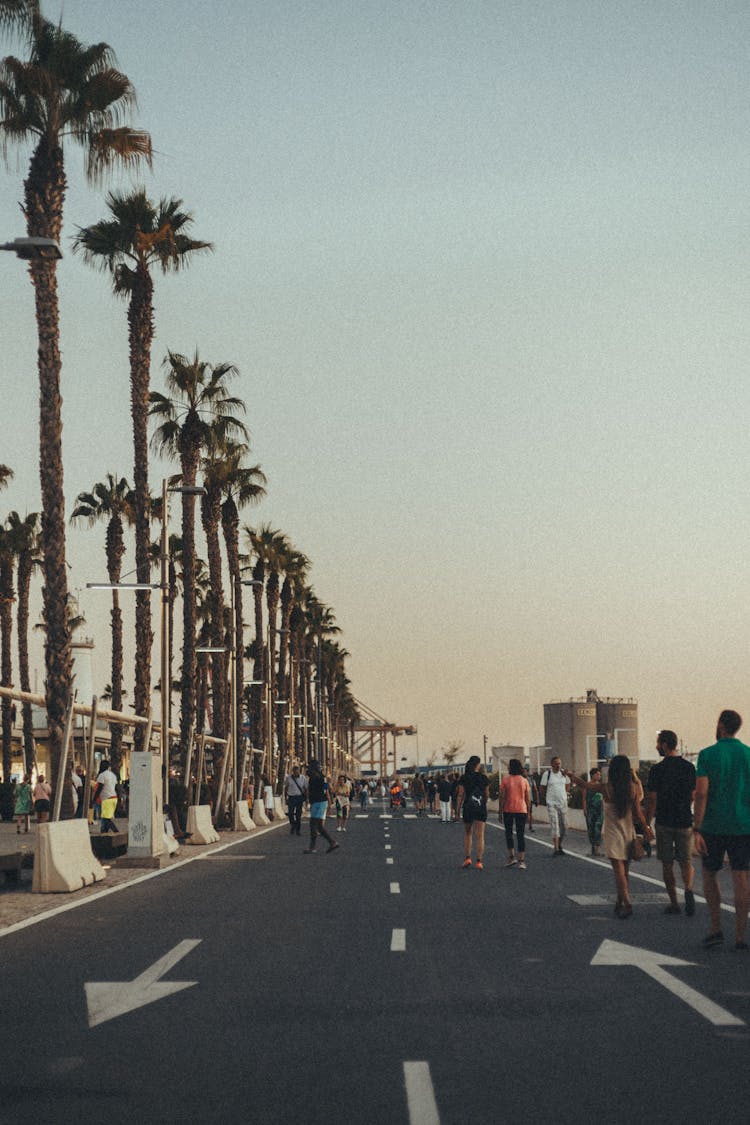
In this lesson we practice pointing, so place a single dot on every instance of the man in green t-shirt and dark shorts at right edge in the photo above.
(721, 824)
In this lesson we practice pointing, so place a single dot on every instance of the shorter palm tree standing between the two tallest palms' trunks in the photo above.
(112, 502)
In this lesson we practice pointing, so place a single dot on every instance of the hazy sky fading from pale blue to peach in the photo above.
(483, 268)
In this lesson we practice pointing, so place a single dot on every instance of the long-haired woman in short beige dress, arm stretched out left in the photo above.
(622, 795)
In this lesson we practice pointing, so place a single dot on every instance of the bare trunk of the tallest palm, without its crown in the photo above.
(44, 194)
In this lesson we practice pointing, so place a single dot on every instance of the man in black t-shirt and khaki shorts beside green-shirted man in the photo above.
(670, 794)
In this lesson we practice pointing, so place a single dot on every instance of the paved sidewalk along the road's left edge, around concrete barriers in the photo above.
(19, 903)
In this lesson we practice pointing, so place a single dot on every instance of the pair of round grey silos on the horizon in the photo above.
(585, 731)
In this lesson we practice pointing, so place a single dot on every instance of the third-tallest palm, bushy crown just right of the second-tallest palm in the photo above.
(200, 416)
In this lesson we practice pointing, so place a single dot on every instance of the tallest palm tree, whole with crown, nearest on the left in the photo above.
(65, 91)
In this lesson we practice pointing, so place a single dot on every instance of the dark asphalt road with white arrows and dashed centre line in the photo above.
(301, 1006)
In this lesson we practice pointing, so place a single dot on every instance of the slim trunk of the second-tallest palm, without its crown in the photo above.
(141, 334)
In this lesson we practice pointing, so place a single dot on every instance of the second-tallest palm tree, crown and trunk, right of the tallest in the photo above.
(140, 236)
